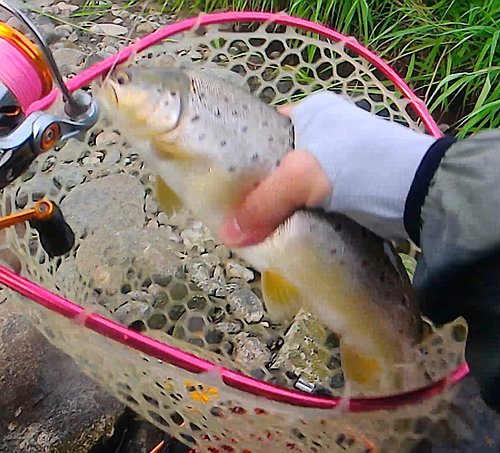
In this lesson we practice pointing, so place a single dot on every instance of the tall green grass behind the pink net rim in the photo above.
(448, 50)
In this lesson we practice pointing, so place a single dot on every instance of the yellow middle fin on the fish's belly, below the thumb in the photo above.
(282, 298)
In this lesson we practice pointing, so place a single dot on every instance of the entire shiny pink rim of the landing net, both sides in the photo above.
(188, 361)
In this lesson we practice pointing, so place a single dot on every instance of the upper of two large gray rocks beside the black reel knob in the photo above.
(112, 203)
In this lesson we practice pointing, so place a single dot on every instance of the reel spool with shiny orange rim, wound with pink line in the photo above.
(25, 77)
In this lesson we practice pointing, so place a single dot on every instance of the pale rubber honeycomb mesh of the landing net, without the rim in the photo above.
(167, 277)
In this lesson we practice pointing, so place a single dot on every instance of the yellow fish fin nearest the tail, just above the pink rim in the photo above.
(360, 368)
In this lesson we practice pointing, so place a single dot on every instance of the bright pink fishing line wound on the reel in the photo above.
(19, 75)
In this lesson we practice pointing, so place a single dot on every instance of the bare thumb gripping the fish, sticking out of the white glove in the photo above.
(298, 181)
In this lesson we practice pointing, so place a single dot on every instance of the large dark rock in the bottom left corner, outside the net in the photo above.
(48, 405)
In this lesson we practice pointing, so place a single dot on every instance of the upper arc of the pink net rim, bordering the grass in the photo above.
(102, 67)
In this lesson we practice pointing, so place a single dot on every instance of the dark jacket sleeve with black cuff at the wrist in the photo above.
(453, 214)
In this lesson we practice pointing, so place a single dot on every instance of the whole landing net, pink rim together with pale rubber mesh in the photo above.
(204, 398)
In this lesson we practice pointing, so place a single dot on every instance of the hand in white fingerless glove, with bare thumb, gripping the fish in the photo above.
(347, 160)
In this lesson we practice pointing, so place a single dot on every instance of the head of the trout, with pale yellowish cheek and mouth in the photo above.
(148, 101)
